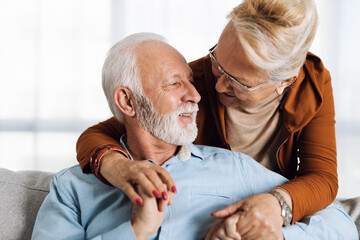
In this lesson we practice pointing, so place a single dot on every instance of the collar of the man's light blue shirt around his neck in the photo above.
(183, 154)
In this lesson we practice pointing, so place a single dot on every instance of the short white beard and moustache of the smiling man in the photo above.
(166, 127)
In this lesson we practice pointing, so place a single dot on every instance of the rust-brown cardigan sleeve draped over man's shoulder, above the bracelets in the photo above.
(103, 133)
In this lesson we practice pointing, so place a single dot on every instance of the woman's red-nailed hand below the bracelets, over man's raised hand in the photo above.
(124, 174)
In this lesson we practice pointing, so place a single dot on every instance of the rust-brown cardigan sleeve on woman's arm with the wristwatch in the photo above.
(316, 182)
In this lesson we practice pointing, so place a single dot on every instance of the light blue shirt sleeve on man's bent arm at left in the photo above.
(59, 217)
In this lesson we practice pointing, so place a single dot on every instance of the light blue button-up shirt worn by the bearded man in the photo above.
(207, 179)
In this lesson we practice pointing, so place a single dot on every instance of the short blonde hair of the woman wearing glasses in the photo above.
(276, 34)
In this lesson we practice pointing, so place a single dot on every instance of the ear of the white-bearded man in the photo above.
(124, 100)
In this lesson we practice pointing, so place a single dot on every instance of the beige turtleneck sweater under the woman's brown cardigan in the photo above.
(255, 130)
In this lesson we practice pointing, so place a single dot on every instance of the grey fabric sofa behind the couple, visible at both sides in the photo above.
(21, 195)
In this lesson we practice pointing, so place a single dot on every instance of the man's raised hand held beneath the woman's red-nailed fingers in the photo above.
(147, 219)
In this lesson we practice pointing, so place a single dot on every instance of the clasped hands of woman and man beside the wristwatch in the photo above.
(256, 217)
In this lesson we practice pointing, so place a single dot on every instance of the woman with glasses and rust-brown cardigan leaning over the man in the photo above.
(263, 94)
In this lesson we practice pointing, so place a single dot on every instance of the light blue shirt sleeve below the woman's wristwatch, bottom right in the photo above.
(329, 223)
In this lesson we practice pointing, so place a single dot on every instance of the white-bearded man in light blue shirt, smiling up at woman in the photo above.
(148, 85)
